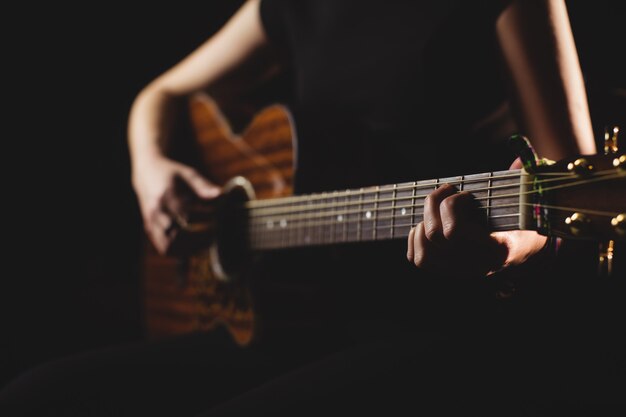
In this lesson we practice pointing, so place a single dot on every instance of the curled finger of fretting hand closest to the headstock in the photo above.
(461, 219)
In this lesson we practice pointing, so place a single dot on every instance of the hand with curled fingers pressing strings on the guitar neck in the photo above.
(454, 240)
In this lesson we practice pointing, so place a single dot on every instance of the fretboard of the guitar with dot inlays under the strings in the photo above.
(374, 213)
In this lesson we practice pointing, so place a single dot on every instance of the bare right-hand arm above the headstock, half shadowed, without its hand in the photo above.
(538, 46)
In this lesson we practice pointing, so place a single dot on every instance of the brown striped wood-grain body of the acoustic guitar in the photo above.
(183, 296)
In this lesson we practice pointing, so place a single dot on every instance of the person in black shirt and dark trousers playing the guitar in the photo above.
(383, 93)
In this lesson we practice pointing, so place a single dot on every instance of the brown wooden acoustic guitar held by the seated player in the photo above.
(580, 198)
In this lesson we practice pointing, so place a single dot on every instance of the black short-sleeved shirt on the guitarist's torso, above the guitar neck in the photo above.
(389, 91)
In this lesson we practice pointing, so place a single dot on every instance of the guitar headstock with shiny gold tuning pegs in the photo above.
(582, 198)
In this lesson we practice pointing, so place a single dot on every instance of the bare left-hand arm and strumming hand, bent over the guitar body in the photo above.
(153, 174)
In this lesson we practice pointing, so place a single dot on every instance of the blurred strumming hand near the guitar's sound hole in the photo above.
(164, 189)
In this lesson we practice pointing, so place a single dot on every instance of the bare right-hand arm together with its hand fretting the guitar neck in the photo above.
(539, 49)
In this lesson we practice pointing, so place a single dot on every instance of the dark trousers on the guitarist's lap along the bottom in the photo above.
(501, 373)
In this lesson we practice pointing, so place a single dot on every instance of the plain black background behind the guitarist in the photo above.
(71, 277)
